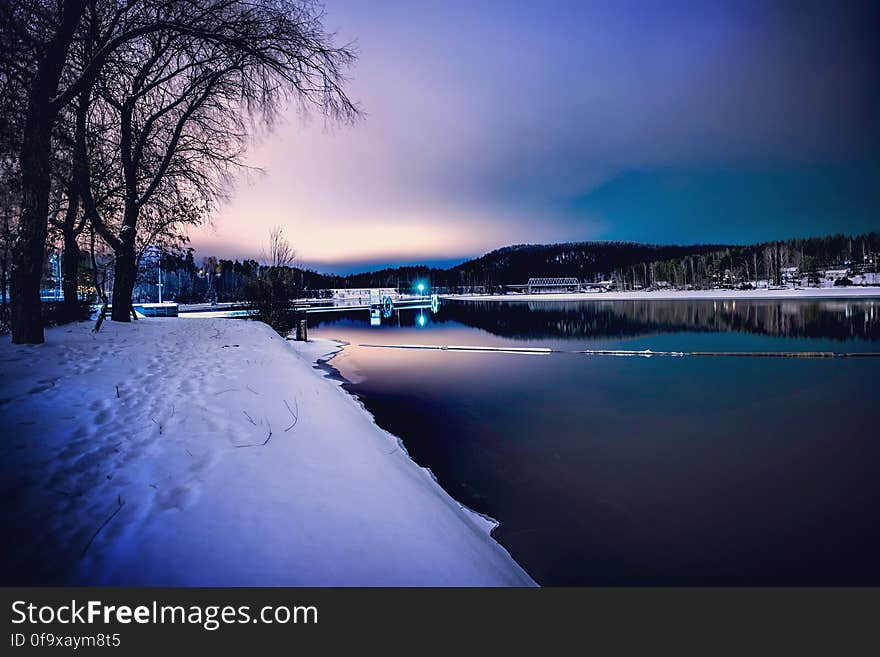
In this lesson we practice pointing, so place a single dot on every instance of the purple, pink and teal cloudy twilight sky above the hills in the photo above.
(494, 123)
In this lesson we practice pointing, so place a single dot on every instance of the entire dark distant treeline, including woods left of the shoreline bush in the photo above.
(630, 265)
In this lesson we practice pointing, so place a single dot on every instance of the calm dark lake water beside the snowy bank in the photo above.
(610, 470)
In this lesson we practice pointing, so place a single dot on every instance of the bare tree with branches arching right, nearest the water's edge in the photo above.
(186, 105)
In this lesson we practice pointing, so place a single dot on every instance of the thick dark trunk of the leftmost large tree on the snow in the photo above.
(34, 160)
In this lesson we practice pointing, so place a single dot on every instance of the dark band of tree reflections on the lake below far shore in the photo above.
(838, 320)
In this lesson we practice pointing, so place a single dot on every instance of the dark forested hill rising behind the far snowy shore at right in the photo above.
(632, 264)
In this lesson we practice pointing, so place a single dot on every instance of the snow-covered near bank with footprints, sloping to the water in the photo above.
(213, 452)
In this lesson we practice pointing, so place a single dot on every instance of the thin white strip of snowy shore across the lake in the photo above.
(661, 295)
